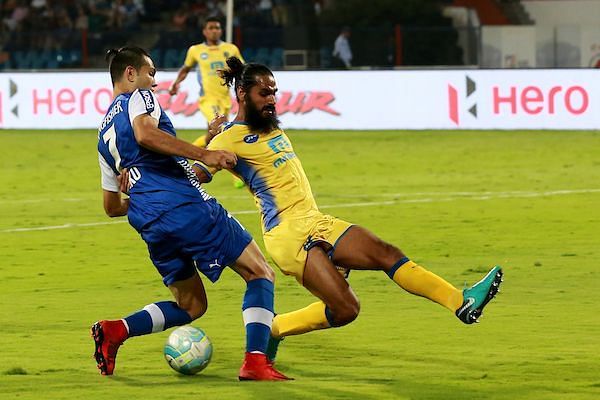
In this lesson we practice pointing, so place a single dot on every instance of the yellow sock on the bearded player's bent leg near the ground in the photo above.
(306, 319)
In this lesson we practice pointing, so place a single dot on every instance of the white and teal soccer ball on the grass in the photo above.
(188, 350)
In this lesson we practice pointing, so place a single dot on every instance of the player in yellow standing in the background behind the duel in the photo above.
(209, 57)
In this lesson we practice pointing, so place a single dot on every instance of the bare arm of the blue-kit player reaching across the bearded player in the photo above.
(148, 135)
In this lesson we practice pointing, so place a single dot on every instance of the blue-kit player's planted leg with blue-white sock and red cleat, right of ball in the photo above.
(257, 312)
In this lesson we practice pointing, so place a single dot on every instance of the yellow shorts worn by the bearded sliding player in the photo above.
(288, 243)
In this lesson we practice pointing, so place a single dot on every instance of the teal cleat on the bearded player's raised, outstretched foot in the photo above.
(478, 295)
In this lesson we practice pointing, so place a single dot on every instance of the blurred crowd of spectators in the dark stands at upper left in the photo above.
(53, 24)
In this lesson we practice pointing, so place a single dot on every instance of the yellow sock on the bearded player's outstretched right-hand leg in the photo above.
(417, 280)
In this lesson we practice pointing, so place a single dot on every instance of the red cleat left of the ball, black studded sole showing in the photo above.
(108, 336)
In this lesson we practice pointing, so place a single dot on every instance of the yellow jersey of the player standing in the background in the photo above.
(210, 59)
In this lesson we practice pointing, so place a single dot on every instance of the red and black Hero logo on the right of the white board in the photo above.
(515, 100)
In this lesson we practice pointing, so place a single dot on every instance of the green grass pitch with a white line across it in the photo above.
(456, 202)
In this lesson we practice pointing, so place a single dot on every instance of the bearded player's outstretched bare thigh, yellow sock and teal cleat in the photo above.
(361, 249)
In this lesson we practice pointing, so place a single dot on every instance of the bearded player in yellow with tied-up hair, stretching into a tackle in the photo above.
(306, 243)
